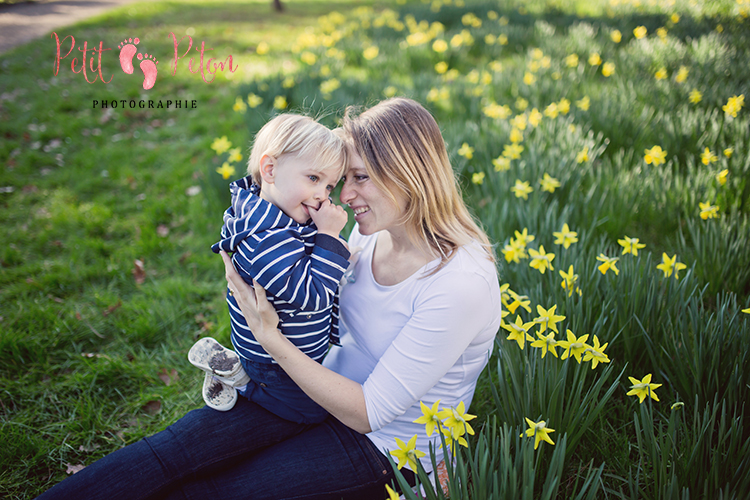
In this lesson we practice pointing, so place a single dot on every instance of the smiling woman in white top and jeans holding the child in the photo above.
(419, 314)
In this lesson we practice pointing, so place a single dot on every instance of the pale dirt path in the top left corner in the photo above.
(23, 22)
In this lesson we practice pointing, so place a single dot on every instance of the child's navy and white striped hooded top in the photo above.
(299, 268)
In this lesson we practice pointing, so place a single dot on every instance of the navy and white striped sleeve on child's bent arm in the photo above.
(280, 264)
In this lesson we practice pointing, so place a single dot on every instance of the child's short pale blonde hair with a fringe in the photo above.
(298, 135)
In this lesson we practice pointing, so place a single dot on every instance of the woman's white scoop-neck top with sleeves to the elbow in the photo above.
(424, 339)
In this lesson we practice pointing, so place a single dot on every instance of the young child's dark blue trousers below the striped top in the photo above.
(275, 391)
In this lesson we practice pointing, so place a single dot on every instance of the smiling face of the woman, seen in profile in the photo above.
(373, 209)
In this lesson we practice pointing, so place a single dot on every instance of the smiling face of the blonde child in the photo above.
(292, 184)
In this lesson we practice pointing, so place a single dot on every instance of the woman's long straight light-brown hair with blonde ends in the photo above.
(404, 153)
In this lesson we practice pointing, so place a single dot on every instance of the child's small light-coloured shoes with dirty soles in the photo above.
(223, 370)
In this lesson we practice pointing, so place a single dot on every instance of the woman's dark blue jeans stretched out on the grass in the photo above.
(247, 452)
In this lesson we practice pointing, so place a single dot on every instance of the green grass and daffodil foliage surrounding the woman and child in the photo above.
(107, 215)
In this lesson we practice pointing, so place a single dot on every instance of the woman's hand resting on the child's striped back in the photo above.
(260, 315)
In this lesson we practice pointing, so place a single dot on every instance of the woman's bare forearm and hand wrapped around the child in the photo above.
(341, 397)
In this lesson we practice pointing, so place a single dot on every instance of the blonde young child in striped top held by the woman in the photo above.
(282, 231)
